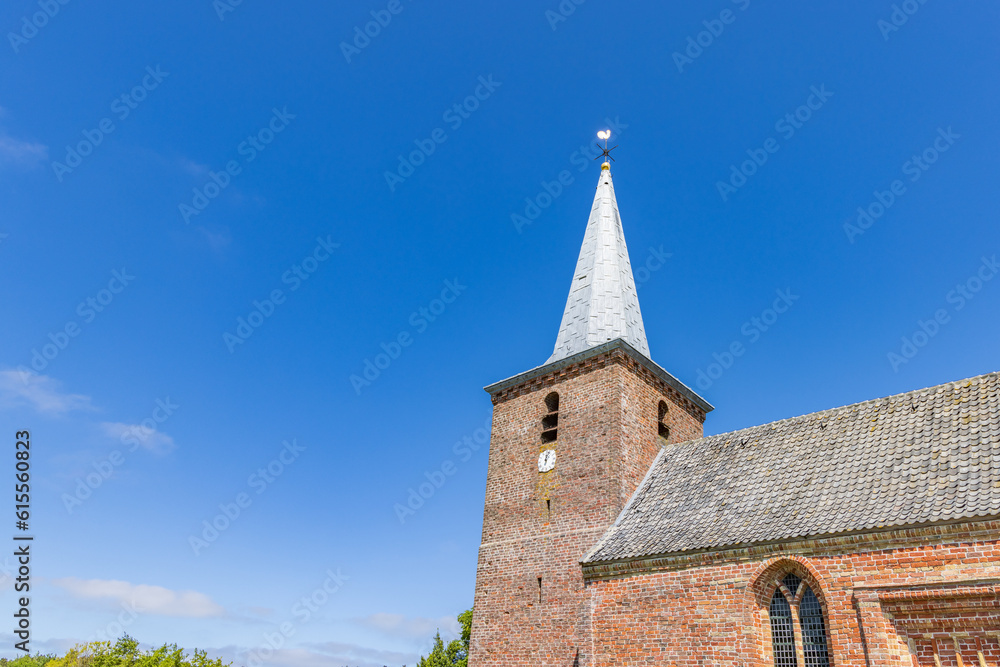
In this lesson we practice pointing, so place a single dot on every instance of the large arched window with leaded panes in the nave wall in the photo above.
(795, 605)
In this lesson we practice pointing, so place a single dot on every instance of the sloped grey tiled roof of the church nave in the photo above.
(926, 456)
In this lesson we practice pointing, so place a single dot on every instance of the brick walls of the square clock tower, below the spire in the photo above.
(540, 525)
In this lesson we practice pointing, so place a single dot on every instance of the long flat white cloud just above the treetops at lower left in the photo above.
(147, 599)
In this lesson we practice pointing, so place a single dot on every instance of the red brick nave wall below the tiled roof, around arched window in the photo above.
(924, 596)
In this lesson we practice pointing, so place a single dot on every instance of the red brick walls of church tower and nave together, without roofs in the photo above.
(924, 596)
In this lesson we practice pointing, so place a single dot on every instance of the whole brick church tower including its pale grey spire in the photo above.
(571, 441)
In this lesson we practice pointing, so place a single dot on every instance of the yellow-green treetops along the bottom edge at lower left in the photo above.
(126, 653)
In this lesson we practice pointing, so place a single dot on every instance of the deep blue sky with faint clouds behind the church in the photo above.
(279, 139)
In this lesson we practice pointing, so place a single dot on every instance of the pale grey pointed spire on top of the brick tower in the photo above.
(602, 304)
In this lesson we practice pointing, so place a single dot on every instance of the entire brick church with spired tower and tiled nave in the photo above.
(616, 534)
